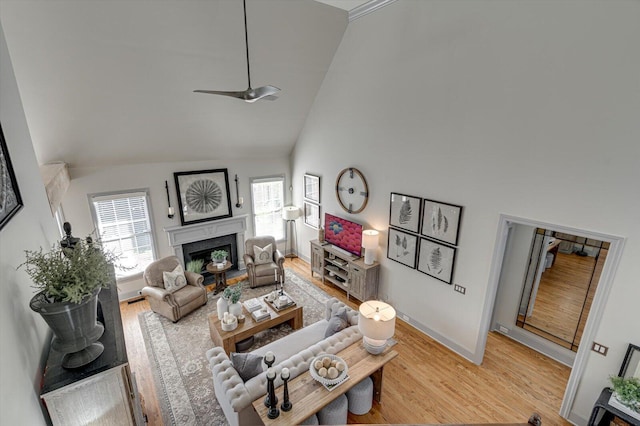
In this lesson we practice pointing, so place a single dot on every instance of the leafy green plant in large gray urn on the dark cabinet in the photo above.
(68, 280)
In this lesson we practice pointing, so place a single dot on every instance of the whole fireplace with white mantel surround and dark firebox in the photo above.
(197, 241)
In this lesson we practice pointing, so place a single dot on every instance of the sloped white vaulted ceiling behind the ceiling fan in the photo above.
(111, 82)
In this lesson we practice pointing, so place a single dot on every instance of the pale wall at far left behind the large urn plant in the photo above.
(23, 332)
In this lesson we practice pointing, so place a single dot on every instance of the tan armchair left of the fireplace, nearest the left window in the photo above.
(173, 305)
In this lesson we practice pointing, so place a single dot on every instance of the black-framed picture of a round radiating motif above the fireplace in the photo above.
(203, 195)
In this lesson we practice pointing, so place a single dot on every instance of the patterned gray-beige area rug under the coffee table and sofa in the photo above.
(184, 385)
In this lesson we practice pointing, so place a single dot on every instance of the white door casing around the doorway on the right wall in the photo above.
(597, 308)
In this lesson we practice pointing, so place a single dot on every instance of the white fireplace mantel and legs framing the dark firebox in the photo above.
(179, 235)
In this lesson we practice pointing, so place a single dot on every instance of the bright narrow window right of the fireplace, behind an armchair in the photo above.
(267, 196)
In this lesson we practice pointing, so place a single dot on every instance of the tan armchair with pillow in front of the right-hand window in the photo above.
(263, 270)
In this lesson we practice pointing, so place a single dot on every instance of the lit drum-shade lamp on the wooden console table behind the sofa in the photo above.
(377, 323)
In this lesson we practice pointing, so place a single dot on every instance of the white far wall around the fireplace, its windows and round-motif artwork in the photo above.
(86, 181)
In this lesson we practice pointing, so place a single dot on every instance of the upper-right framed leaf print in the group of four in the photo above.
(441, 221)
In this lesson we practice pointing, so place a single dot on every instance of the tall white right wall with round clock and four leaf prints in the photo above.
(524, 108)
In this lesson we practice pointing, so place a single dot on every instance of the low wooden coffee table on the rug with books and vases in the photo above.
(228, 339)
